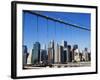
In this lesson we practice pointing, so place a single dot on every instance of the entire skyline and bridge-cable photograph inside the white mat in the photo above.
(55, 40)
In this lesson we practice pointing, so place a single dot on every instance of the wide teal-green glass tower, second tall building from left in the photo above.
(36, 53)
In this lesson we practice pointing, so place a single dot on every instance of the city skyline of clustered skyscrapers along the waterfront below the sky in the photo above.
(55, 55)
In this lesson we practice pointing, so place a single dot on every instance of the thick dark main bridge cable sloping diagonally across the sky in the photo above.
(57, 20)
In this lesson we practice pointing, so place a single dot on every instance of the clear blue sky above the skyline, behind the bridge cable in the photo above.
(56, 31)
